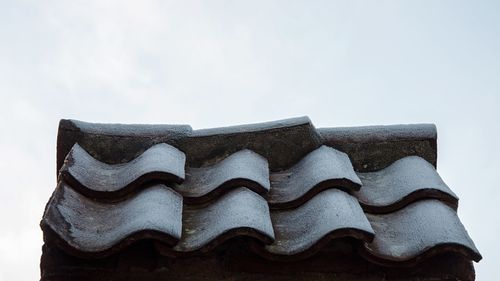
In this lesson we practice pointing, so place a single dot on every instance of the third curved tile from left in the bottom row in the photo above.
(302, 232)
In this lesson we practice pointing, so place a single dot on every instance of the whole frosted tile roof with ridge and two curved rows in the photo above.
(286, 190)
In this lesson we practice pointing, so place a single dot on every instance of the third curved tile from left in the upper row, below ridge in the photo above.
(321, 169)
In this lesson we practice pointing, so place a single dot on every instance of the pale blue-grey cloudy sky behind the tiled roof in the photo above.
(218, 63)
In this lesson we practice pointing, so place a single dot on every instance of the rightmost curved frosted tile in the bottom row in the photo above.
(416, 232)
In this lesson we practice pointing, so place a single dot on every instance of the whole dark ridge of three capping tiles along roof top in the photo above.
(369, 148)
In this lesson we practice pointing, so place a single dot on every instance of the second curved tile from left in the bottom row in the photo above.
(240, 212)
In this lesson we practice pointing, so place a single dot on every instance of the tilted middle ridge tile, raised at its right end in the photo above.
(283, 143)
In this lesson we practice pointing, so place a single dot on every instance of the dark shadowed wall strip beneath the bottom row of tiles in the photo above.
(141, 262)
